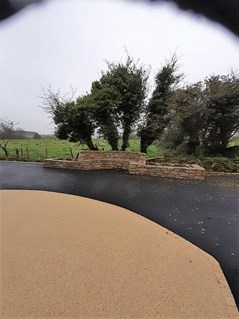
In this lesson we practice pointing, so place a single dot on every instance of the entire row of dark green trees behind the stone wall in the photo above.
(198, 119)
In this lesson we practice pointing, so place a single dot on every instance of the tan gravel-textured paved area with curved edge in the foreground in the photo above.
(68, 256)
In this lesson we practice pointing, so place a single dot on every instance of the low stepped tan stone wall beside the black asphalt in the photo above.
(134, 163)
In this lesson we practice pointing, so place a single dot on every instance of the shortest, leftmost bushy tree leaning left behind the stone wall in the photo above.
(73, 119)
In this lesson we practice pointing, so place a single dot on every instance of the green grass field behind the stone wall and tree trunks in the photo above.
(43, 148)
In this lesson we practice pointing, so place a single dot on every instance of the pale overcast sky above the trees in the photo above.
(65, 43)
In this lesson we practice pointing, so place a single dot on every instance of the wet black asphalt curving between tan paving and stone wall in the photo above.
(206, 213)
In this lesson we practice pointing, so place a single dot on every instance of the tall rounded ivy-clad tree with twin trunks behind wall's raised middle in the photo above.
(119, 100)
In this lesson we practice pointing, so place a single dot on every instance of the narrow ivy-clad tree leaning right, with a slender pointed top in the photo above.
(158, 108)
